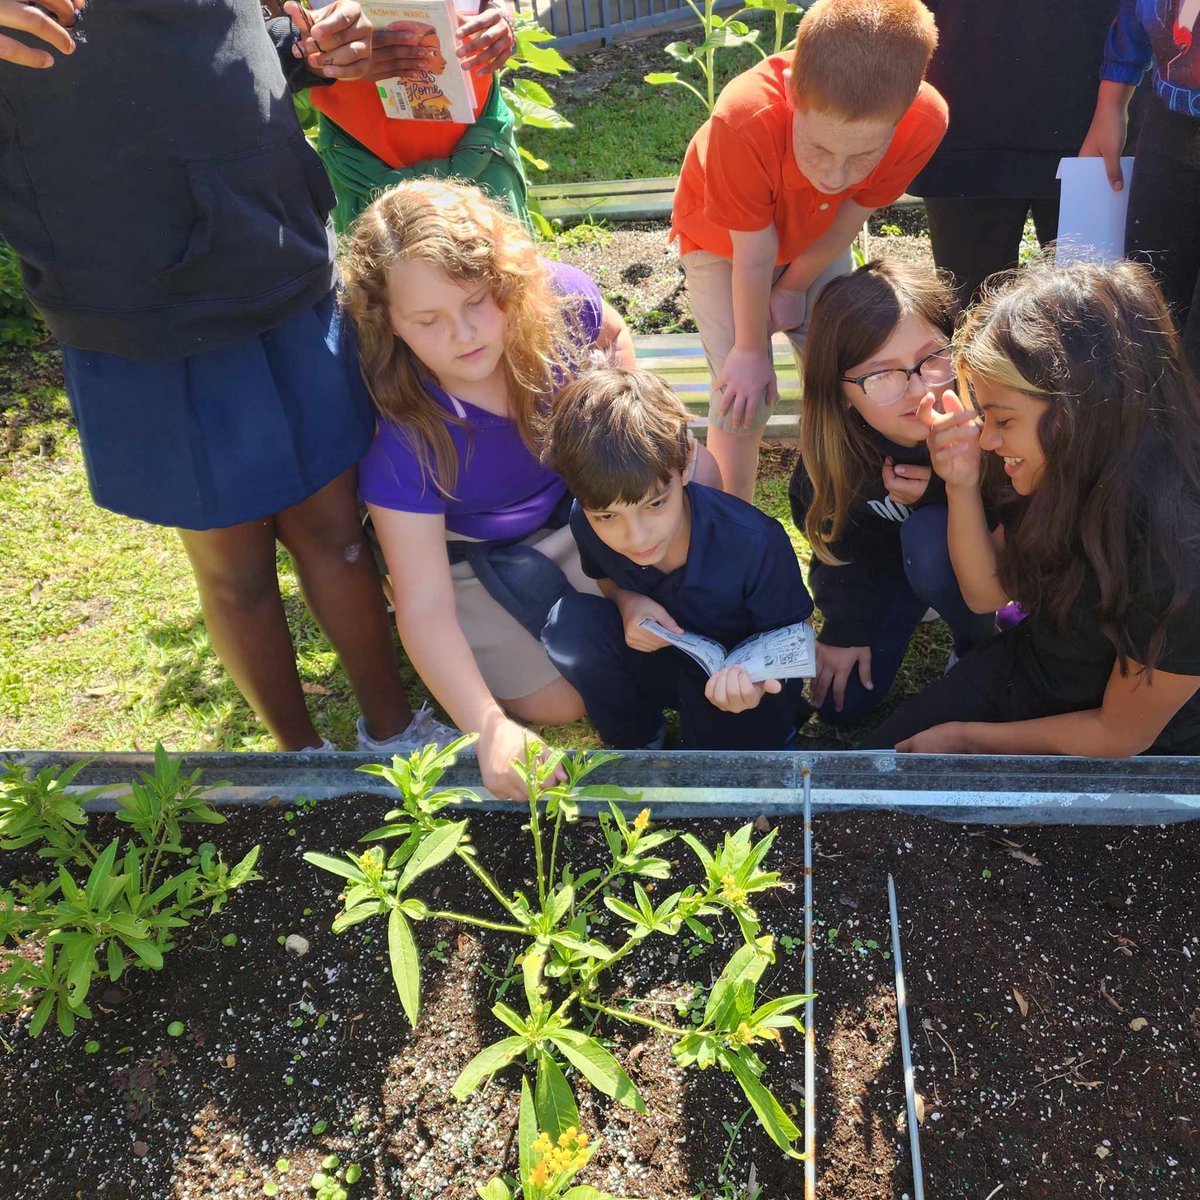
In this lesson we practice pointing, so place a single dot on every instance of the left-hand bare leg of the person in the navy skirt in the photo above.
(239, 591)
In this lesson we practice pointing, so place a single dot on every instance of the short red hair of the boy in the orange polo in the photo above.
(862, 59)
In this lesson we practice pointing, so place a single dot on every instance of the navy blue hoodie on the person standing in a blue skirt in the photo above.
(157, 185)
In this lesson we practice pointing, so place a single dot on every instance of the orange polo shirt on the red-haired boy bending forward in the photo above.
(740, 172)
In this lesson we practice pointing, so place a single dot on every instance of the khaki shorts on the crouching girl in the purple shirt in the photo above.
(512, 662)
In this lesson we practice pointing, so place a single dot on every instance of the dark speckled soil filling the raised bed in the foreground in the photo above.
(1054, 1006)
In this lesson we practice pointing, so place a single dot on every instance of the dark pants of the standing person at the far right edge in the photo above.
(1163, 224)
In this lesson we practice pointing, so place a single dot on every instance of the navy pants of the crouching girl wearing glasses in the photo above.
(927, 581)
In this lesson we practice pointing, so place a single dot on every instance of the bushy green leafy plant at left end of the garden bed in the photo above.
(101, 910)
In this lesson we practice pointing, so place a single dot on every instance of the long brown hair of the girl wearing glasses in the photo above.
(853, 319)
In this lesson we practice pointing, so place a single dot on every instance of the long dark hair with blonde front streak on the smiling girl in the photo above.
(1120, 435)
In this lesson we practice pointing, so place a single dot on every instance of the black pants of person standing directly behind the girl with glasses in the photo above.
(975, 237)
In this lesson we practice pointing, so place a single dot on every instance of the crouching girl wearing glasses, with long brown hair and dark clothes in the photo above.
(863, 491)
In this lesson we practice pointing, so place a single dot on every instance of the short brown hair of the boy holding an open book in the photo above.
(615, 435)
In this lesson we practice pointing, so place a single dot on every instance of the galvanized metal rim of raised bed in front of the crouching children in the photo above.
(969, 789)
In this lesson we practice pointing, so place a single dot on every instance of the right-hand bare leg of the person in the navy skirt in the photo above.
(341, 585)
